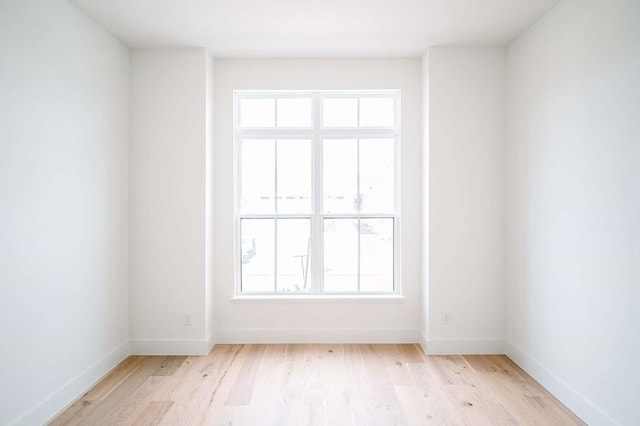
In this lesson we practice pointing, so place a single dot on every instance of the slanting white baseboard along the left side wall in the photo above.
(74, 388)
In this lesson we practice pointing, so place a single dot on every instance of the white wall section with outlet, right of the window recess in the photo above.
(467, 235)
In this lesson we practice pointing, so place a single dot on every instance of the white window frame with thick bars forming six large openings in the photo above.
(316, 133)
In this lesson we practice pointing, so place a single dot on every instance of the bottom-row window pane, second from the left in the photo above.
(293, 255)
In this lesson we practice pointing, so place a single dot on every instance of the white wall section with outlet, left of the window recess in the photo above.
(168, 202)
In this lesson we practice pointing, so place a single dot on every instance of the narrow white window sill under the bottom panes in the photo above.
(304, 298)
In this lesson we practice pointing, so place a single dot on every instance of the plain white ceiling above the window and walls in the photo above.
(314, 27)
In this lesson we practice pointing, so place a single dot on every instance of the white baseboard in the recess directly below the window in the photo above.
(269, 335)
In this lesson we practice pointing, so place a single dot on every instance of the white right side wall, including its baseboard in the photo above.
(574, 206)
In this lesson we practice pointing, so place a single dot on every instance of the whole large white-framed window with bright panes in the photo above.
(317, 192)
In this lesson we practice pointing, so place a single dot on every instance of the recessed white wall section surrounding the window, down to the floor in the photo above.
(315, 321)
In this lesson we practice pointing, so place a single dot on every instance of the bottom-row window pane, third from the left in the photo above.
(341, 255)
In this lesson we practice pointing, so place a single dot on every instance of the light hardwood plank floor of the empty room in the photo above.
(317, 385)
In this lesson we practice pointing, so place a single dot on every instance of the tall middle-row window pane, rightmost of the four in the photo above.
(377, 180)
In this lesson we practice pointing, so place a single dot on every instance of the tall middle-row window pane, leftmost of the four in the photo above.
(258, 176)
